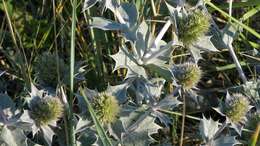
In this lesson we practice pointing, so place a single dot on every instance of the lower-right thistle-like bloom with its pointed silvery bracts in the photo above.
(235, 109)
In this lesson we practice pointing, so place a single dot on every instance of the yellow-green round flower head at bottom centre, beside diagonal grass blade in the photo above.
(107, 108)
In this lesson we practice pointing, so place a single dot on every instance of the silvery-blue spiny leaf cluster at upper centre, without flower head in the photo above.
(145, 50)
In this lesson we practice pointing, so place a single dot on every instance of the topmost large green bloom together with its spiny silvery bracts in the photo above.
(192, 25)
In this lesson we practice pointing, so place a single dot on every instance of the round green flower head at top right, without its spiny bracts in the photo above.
(193, 26)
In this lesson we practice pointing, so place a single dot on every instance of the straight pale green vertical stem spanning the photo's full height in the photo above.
(72, 62)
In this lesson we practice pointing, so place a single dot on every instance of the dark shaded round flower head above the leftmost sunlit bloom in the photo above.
(46, 69)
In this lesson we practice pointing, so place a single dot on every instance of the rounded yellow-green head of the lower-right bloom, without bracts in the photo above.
(237, 109)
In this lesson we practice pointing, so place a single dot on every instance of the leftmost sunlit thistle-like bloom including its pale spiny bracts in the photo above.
(44, 110)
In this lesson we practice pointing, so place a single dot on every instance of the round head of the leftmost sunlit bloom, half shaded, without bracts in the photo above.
(46, 110)
